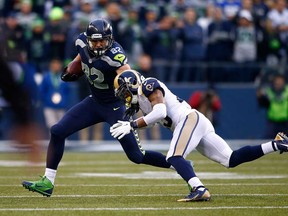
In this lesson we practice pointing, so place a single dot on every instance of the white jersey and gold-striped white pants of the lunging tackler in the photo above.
(191, 129)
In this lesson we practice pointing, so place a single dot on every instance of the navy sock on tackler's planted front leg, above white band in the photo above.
(183, 167)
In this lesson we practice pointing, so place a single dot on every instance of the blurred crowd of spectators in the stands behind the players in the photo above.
(177, 41)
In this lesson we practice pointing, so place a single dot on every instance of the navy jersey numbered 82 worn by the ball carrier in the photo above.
(100, 72)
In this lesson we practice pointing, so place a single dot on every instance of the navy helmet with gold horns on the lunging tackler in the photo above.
(126, 86)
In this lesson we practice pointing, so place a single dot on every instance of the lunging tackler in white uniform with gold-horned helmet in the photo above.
(191, 130)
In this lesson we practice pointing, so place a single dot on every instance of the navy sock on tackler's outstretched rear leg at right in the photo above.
(245, 154)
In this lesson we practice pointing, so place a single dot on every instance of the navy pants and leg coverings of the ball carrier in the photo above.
(89, 112)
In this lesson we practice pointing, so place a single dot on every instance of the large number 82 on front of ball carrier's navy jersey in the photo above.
(95, 77)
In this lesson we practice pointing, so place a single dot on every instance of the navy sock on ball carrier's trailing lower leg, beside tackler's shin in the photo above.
(155, 159)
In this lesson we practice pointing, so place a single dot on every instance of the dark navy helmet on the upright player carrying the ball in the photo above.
(99, 35)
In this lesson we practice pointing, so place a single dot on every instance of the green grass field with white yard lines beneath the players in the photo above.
(109, 184)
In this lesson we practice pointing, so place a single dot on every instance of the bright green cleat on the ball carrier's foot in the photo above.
(44, 186)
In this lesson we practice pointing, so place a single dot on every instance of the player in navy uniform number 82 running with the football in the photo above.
(102, 59)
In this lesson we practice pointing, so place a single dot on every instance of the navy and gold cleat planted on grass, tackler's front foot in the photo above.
(198, 194)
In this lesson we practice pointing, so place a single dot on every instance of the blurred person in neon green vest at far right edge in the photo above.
(275, 99)
